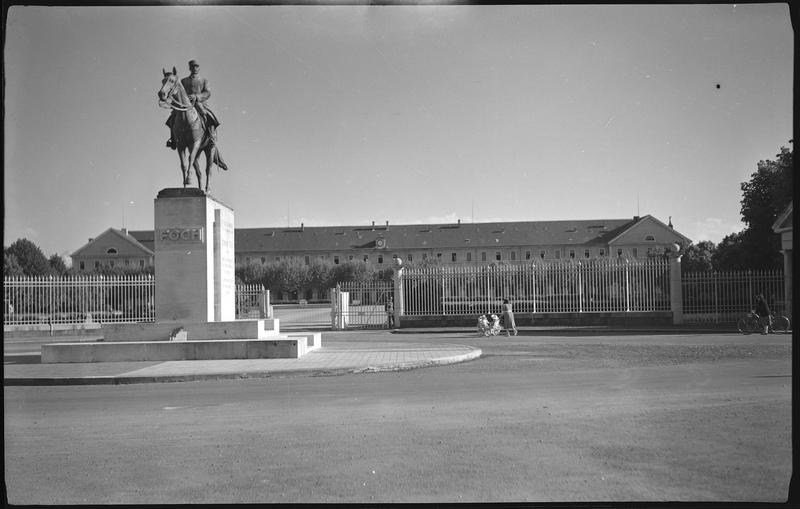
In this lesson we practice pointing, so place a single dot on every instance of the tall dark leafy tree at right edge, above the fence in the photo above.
(764, 197)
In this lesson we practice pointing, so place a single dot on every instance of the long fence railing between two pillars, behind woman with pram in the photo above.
(566, 287)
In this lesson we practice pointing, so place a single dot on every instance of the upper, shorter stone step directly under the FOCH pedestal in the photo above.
(164, 331)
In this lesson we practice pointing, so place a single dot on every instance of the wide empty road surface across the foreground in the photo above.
(672, 417)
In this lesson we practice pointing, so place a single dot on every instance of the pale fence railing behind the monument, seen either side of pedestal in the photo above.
(103, 299)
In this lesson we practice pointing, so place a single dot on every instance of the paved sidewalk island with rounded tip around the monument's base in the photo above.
(335, 358)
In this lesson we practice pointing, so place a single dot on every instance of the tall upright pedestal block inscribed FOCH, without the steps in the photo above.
(194, 258)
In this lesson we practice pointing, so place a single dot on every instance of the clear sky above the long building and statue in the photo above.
(344, 115)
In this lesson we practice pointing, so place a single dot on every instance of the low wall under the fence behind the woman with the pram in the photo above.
(653, 318)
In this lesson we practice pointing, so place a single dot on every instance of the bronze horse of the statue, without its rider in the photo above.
(188, 130)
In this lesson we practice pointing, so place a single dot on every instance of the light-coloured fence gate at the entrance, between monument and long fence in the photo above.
(361, 304)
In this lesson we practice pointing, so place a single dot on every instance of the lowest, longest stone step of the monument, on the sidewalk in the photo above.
(291, 346)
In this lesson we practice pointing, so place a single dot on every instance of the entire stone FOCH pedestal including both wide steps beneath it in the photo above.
(195, 297)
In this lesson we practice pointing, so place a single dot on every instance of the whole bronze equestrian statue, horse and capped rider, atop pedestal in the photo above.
(192, 124)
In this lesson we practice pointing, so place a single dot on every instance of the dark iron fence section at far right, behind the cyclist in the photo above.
(726, 296)
